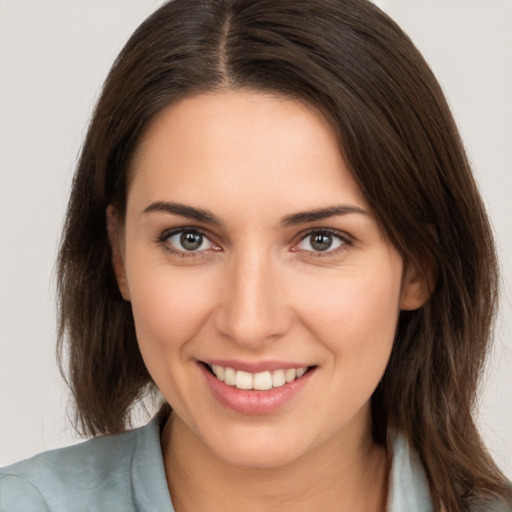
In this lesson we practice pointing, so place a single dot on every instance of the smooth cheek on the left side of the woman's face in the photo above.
(170, 308)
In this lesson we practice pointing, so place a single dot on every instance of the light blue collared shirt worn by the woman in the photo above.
(125, 473)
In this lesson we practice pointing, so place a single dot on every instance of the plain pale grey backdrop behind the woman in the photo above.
(54, 56)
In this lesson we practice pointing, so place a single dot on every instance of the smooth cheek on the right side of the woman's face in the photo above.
(356, 322)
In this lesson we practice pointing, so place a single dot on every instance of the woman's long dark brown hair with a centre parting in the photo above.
(349, 60)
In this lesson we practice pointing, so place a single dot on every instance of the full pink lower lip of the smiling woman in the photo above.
(254, 402)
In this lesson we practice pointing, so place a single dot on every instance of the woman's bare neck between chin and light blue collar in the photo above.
(343, 476)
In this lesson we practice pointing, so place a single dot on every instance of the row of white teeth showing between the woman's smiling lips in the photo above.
(261, 381)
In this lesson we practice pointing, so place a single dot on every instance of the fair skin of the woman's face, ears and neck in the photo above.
(248, 245)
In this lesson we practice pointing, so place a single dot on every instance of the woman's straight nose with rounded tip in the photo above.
(253, 309)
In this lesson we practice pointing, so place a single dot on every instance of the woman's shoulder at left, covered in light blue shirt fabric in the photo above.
(99, 471)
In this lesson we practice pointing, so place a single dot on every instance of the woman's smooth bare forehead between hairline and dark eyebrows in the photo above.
(241, 144)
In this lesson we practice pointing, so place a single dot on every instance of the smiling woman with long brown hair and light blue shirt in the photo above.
(274, 223)
